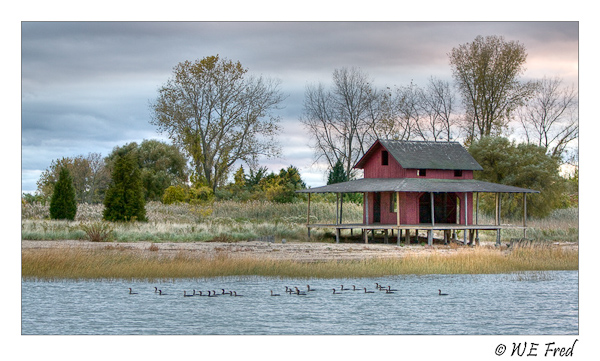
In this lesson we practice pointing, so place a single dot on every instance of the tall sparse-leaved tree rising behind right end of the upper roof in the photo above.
(486, 72)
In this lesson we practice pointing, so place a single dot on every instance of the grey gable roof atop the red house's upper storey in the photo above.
(426, 155)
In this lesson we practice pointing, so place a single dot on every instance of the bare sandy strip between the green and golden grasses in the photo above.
(300, 251)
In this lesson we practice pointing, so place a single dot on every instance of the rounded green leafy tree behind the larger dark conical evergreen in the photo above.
(161, 165)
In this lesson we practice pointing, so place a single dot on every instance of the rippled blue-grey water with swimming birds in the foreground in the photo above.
(529, 303)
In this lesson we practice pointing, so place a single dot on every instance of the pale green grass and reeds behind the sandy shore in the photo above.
(234, 221)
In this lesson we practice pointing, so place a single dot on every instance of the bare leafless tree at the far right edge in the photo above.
(550, 119)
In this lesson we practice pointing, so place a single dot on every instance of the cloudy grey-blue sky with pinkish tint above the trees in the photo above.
(87, 86)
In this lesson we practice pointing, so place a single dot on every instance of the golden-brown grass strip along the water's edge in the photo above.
(111, 263)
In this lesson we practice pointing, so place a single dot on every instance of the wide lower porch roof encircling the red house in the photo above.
(416, 185)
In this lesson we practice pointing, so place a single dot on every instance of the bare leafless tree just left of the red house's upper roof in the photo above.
(339, 120)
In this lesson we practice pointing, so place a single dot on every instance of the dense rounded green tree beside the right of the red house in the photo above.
(520, 165)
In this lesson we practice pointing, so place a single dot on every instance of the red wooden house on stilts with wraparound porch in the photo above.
(416, 185)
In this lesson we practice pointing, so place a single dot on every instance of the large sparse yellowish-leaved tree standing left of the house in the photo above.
(219, 115)
